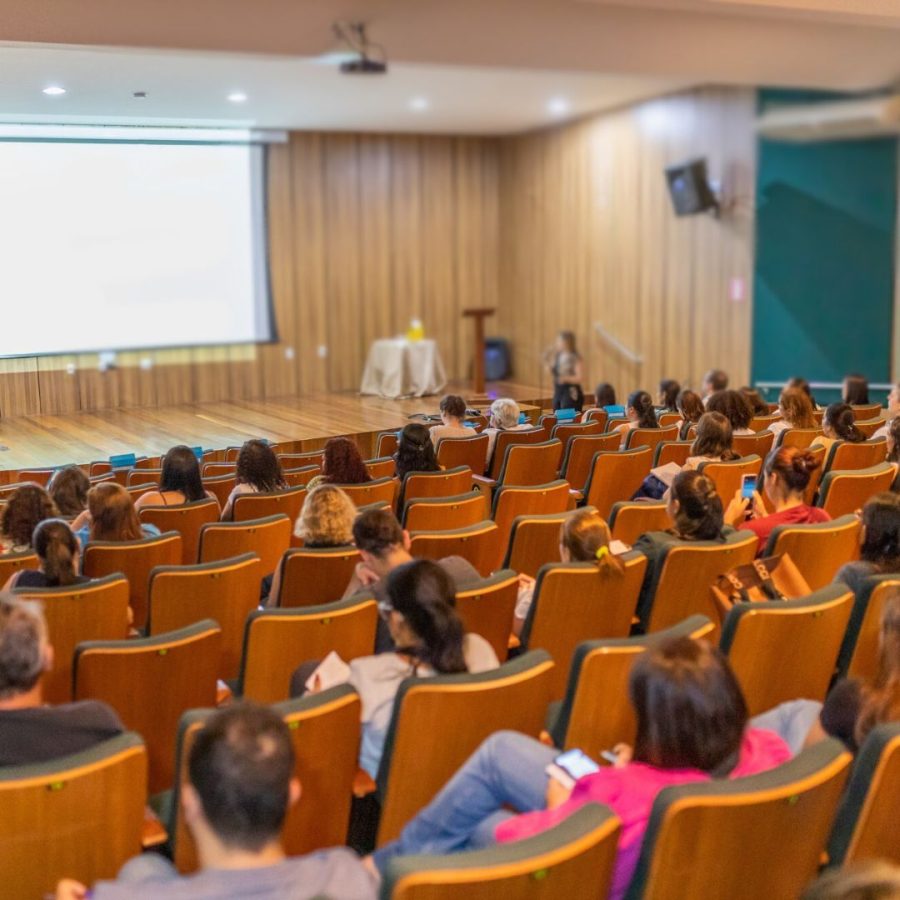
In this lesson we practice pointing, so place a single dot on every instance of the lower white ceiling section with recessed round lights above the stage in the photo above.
(282, 92)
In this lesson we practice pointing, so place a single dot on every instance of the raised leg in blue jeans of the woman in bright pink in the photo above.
(506, 770)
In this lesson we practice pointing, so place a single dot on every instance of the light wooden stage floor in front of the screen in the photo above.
(307, 421)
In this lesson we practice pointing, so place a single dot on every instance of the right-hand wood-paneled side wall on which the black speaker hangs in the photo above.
(588, 235)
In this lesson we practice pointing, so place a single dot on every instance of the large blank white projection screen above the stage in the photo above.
(117, 246)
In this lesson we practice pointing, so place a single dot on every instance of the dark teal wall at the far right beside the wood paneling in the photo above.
(824, 263)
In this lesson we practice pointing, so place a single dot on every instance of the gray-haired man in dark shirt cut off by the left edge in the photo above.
(29, 731)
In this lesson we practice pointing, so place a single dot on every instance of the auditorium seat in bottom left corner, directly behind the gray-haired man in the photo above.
(78, 817)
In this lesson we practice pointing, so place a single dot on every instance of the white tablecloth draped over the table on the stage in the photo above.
(400, 368)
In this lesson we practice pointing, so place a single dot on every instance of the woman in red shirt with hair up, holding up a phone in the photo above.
(786, 475)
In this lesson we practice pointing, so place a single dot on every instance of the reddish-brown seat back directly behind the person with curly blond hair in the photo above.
(313, 576)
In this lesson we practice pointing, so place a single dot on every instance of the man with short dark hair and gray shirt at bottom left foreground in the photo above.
(241, 786)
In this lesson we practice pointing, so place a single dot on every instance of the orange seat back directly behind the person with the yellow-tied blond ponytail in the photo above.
(573, 603)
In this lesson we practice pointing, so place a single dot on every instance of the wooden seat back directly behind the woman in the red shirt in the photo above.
(818, 550)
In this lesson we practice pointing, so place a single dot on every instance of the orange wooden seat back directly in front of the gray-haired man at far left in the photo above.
(97, 610)
